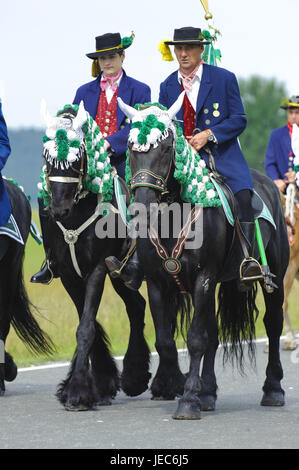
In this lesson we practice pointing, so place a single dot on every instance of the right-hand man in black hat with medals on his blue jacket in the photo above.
(212, 114)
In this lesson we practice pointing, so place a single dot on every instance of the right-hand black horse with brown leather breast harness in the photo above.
(152, 165)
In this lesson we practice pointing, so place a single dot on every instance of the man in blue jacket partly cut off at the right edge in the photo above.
(279, 160)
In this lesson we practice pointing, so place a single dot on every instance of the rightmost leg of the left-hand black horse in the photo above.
(135, 375)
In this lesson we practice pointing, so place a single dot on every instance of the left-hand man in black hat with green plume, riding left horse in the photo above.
(100, 100)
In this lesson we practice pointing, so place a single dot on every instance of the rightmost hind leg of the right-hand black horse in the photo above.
(273, 320)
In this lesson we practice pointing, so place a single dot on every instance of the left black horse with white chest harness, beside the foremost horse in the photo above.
(93, 378)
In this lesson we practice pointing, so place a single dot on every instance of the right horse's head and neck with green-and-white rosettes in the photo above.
(160, 157)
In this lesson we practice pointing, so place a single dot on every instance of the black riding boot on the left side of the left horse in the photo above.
(48, 270)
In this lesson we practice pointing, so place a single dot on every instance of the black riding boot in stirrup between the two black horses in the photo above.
(129, 270)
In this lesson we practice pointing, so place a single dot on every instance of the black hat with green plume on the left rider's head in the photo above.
(110, 43)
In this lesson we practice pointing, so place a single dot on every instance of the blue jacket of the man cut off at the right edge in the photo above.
(277, 153)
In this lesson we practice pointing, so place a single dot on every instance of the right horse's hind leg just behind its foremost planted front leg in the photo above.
(208, 394)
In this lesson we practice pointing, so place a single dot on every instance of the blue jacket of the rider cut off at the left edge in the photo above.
(5, 209)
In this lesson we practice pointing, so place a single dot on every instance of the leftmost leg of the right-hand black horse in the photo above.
(169, 380)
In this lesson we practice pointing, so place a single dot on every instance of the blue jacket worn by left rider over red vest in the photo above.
(132, 92)
